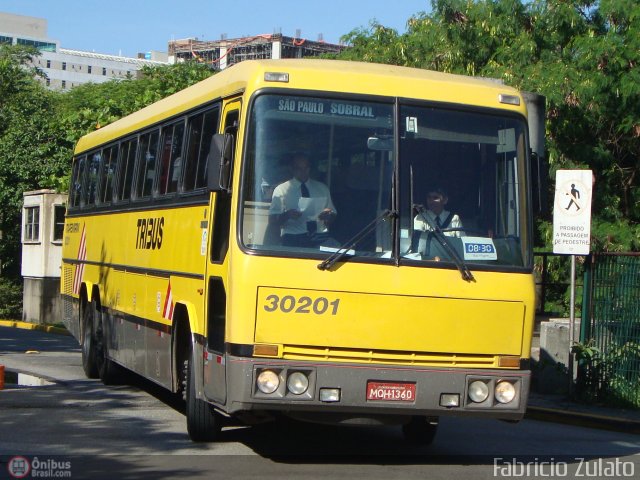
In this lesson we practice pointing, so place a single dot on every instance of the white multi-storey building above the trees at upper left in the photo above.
(66, 68)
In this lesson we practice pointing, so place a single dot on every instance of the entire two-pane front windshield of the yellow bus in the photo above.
(319, 172)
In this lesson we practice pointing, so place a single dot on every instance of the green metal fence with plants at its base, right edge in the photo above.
(609, 353)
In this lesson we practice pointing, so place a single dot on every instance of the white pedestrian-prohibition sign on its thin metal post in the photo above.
(572, 231)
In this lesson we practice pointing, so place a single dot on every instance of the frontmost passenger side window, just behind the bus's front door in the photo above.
(201, 129)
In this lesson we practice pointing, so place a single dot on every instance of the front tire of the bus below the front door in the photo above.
(203, 423)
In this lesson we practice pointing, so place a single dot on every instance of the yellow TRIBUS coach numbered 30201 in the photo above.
(193, 256)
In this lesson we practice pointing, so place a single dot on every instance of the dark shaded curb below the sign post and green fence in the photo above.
(583, 419)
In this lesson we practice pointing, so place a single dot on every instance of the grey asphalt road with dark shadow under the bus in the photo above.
(137, 430)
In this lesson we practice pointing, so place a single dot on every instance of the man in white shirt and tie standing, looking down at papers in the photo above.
(302, 208)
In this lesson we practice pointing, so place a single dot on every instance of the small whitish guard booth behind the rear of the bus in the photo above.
(42, 234)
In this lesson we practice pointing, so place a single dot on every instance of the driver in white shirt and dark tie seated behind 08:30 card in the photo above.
(448, 222)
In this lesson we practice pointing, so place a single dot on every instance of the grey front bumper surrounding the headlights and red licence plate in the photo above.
(355, 381)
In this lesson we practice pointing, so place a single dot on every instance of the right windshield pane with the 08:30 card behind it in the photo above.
(462, 180)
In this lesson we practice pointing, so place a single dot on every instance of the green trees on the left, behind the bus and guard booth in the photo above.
(39, 128)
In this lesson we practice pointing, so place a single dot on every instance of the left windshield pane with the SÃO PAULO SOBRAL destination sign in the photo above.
(313, 179)
